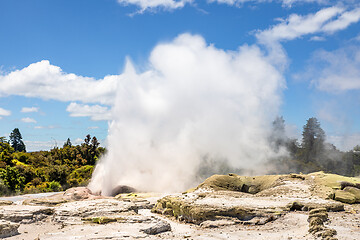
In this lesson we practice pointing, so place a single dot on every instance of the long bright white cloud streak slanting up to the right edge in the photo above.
(327, 20)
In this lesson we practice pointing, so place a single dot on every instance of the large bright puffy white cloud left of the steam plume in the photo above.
(47, 81)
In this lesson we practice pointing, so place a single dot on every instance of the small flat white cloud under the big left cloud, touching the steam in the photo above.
(95, 112)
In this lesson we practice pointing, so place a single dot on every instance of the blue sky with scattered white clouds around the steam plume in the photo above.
(61, 60)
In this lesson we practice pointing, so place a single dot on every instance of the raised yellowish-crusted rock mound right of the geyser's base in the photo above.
(259, 199)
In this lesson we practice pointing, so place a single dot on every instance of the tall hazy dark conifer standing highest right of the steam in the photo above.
(312, 141)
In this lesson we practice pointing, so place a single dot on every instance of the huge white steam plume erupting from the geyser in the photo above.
(194, 100)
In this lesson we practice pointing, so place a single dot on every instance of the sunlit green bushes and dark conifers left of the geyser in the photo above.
(46, 171)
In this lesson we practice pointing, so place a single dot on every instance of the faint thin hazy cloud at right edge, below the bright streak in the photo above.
(336, 71)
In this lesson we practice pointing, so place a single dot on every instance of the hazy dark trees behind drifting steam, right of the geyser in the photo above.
(313, 153)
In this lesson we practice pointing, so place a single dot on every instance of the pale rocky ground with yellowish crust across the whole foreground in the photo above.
(313, 206)
